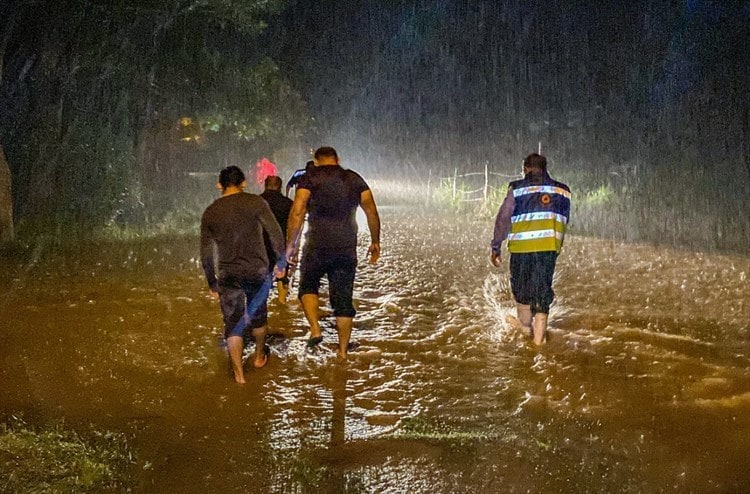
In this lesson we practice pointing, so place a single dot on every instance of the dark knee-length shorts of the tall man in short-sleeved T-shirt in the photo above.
(340, 268)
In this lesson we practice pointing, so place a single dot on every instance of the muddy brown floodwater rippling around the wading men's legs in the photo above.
(644, 385)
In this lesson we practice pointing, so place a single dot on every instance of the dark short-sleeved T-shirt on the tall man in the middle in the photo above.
(334, 197)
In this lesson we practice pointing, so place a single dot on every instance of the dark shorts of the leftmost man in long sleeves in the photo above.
(234, 296)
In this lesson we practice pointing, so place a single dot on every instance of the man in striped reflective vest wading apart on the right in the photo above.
(532, 218)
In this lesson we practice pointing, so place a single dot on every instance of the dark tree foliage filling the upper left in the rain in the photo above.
(93, 92)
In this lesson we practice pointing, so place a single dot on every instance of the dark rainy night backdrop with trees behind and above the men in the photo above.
(641, 106)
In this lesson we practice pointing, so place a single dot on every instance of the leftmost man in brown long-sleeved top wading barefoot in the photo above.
(235, 223)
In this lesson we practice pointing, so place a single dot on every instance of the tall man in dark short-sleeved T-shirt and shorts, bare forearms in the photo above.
(332, 195)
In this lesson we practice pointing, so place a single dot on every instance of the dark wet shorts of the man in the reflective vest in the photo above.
(531, 279)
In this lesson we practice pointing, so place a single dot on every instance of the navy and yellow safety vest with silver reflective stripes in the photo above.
(540, 215)
